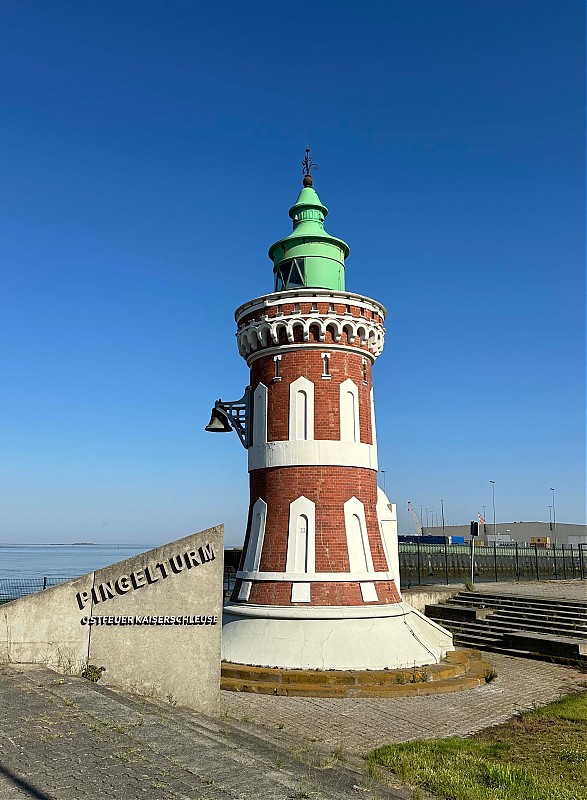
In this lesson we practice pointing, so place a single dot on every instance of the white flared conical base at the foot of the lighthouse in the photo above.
(330, 638)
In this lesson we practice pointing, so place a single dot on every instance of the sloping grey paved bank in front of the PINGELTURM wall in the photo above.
(63, 738)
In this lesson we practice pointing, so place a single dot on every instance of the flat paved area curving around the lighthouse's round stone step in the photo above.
(361, 724)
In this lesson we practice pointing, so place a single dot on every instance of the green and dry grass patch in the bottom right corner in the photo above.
(540, 755)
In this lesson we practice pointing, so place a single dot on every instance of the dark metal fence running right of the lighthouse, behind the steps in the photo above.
(427, 564)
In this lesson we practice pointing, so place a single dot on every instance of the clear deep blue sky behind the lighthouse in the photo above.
(150, 151)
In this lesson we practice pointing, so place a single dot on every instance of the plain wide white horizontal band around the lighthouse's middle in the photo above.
(318, 452)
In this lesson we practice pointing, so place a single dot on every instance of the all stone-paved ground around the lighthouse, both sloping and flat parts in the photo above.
(63, 738)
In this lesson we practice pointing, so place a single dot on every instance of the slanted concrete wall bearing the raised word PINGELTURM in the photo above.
(153, 621)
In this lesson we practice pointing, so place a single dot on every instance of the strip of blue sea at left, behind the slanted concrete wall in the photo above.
(61, 561)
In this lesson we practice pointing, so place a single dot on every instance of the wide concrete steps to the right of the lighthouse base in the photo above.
(529, 626)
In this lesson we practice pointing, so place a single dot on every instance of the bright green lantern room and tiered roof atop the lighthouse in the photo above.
(309, 256)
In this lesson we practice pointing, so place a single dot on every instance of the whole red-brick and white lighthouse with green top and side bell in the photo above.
(318, 583)
